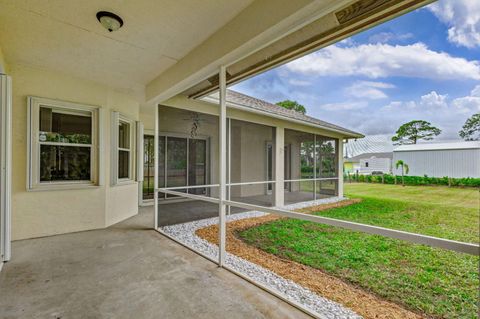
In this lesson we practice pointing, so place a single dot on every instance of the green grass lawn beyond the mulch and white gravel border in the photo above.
(437, 282)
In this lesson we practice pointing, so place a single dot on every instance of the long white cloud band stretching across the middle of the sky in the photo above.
(384, 60)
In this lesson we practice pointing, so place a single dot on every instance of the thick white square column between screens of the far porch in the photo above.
(279, 188)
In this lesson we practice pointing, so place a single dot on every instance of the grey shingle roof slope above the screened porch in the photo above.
(246, 101)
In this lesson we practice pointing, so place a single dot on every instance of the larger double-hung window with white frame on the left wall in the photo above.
(63, 144)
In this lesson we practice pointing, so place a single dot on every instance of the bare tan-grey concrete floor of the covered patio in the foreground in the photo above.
(125, 271)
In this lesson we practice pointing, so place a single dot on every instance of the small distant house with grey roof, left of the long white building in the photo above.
(368, 163)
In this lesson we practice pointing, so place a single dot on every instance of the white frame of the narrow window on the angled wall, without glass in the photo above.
(118, 118)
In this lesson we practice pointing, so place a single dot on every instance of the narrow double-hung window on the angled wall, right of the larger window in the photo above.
(122, 149)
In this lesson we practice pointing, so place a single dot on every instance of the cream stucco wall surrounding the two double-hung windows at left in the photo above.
(42, 213)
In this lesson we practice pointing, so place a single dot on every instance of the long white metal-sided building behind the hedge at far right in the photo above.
(456, 159)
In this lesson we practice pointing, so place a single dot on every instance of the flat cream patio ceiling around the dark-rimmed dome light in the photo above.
(65, 36)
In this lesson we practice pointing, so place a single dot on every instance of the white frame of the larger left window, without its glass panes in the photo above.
(33, 145)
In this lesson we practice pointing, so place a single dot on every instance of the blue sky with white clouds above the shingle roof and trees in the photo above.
(422, 66)
